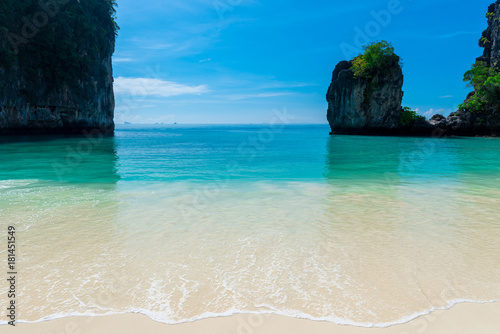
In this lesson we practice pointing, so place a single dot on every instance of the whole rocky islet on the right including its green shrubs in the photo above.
(365, 94)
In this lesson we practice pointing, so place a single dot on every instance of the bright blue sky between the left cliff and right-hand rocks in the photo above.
(237, 61)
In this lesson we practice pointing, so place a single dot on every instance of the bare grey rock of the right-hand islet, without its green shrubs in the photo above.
(373, 105)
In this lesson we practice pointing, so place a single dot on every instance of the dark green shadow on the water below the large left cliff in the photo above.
(56, 158)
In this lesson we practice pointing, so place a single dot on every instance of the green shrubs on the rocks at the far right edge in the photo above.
(486, 83)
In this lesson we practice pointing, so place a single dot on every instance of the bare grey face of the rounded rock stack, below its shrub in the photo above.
(365, 106)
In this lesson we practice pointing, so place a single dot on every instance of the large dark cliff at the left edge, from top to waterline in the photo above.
(58, 81)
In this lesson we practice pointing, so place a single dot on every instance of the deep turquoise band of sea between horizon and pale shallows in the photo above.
(244, 153)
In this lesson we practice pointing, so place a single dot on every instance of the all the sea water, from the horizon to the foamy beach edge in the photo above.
(187, 222)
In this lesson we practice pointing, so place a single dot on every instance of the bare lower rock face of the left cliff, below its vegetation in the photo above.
(28, 107)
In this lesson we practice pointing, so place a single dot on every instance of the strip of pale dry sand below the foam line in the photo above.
(466, 317)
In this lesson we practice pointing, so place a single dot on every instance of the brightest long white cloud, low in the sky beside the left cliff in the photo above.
(155, 87)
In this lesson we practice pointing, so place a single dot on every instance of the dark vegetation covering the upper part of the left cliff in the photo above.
(58, 42)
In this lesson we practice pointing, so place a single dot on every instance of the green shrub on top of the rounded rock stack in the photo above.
(377, 57)
